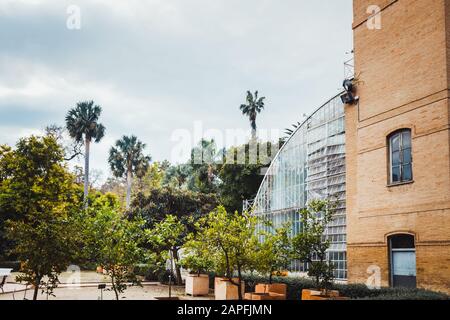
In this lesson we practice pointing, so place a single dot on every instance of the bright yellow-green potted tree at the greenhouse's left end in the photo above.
(231, 241)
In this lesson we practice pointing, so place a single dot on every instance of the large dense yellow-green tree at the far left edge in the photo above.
(38, 194)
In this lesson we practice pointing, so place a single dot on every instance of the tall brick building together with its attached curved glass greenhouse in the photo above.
(385, 158)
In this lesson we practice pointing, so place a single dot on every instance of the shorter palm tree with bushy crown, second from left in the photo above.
(127, 158)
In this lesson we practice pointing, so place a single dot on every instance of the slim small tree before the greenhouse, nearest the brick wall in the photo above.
(311, 244)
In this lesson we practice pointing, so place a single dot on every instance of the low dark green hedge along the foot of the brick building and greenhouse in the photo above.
(353, 291)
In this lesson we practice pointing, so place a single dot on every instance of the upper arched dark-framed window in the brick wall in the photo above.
(400, 157)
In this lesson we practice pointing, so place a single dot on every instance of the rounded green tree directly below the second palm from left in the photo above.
(116, 244)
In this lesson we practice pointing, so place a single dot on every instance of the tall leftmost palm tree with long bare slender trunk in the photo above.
(82, 125)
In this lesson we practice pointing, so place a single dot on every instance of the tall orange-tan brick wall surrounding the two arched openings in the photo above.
(404, 75)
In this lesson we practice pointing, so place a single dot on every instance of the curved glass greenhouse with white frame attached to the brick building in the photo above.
(311, 165)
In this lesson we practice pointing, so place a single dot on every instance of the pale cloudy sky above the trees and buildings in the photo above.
(160, 66)
